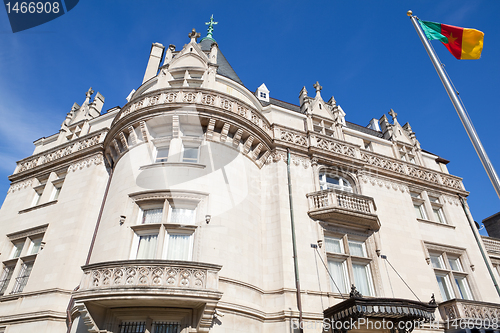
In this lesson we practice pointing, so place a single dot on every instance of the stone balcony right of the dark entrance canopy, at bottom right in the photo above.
(460, 309)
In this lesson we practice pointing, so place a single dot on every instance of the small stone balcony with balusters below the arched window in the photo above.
(343, 208)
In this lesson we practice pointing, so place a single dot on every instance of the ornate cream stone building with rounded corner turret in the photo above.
(201, 206)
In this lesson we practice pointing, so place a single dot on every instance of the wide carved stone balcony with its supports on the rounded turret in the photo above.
(148, 284)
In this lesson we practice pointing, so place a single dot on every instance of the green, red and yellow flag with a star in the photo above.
(463, 43)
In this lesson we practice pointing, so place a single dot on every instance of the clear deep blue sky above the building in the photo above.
(364, 53)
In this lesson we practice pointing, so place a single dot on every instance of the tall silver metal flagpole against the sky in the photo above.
(471, 132)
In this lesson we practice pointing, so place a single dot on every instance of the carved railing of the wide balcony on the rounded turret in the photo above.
(150, 273)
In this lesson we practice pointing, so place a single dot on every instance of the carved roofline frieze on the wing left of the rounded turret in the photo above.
(65, 150)
